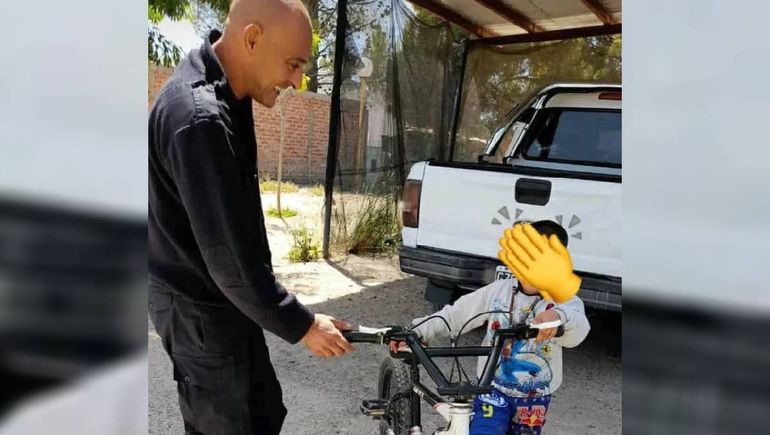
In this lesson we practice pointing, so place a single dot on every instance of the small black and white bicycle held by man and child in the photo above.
(399, 382)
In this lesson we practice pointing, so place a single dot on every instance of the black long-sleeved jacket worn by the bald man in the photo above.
(207, 237)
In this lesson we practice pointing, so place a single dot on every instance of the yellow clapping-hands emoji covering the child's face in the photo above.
(543, 263)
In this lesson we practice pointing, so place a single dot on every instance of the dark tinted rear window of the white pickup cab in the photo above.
(579, 136)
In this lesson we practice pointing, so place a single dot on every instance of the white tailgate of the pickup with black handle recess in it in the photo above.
(466, 210)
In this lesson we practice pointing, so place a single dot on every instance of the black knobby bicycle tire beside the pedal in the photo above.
(395, 378)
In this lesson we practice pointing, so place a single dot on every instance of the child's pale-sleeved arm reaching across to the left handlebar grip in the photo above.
(458, 313)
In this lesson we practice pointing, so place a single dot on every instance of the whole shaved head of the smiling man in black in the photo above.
(264, 46)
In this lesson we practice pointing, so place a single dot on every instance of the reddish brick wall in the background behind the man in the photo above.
(307, 132)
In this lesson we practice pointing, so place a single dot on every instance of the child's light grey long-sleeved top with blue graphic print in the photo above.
(526, 368)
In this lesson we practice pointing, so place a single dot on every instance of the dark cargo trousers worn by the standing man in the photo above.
(225, 380)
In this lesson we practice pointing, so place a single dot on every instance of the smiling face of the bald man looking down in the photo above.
(279, 60)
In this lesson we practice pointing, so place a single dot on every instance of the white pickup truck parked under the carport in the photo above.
(557, 157)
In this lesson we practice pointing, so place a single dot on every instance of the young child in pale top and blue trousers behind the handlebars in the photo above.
(530, 370)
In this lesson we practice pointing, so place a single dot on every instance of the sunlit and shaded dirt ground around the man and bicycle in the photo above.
(323, 396)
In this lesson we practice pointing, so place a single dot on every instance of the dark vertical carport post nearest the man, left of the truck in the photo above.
(334, 118)
